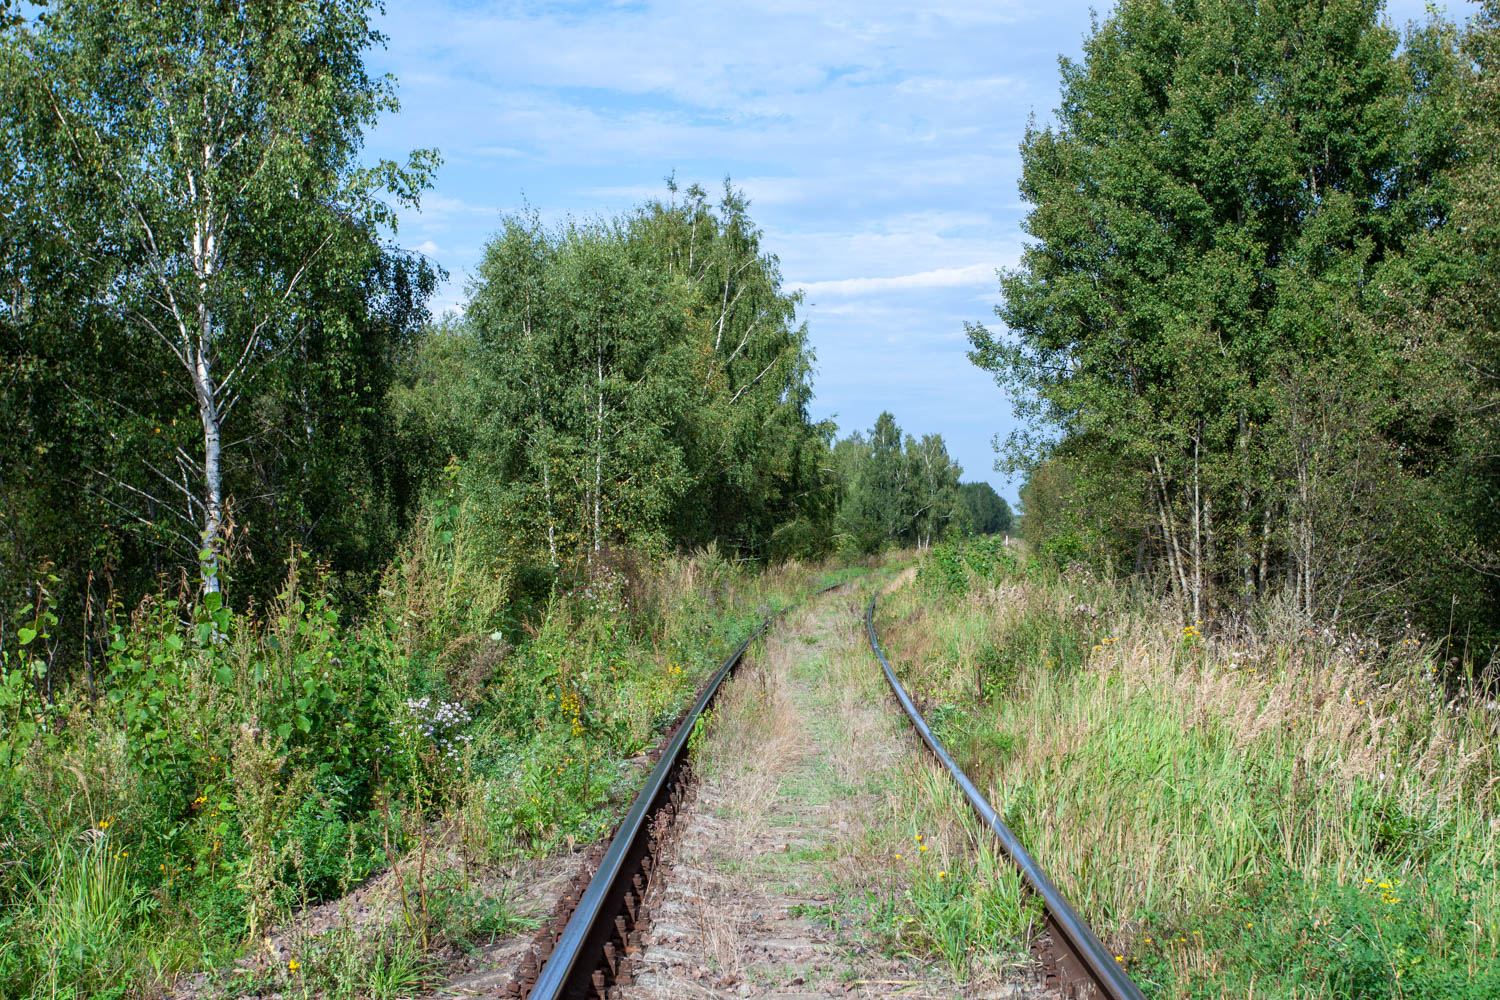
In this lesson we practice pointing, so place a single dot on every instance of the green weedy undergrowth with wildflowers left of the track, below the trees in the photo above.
(229, 770)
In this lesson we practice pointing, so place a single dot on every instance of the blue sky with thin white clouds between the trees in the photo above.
(877, 142)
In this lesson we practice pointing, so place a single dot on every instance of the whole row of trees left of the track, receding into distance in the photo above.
(215, 358)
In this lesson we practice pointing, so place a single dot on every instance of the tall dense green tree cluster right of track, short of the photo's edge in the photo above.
(1216, 215)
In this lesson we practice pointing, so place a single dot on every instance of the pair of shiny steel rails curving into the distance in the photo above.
(592, 948)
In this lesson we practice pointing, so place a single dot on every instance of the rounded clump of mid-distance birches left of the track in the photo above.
(640, 382)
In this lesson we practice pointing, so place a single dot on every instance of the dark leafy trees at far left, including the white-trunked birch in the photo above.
(124, 449)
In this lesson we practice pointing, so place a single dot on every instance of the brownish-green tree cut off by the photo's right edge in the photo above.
(1447, 412)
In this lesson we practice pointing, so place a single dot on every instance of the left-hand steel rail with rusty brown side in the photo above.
(569, 969)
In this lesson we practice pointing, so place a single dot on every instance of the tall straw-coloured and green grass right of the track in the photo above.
(1168, 773)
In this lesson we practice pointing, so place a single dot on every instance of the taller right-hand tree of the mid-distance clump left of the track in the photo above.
(757, 457)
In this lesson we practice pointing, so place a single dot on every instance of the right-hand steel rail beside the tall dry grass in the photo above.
(1082, 959)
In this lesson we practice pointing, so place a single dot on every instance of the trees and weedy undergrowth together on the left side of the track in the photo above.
(299, 588)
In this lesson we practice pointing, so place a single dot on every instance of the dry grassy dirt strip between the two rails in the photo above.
(791, 836)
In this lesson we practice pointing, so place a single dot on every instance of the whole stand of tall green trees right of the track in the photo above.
(1253, 338)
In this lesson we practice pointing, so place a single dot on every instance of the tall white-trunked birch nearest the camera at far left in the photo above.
(203, 158)
